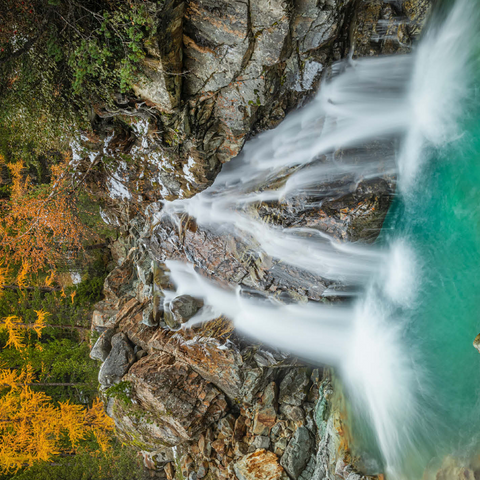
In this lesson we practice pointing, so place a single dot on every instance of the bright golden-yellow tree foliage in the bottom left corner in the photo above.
(33, 428)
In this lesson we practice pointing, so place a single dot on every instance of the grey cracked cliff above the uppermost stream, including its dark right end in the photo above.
(219, 70)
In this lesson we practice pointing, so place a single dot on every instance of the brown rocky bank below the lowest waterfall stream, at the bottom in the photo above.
(204, 403)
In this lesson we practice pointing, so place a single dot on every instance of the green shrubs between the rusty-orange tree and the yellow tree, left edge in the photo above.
(61, 354)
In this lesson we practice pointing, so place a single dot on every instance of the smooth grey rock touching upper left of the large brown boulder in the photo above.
(118, 362)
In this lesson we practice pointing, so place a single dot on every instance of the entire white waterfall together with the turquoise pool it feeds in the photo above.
(403, 348)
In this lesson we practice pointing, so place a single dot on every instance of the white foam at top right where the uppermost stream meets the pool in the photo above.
(439, 87)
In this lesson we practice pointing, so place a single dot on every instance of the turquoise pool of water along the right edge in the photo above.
(439, 219)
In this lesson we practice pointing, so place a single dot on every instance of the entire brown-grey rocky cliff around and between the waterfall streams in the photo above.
(205, 402)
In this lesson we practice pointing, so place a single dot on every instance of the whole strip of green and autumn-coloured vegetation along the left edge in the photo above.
(62, 64)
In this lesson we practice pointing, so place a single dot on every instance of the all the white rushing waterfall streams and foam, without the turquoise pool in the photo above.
(403, 105)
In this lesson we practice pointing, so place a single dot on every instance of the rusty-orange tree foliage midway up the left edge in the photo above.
(39, 224)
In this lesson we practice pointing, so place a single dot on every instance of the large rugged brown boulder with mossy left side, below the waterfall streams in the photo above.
(173, 404)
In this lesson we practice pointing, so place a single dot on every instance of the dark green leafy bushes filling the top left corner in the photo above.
(59, 59)
